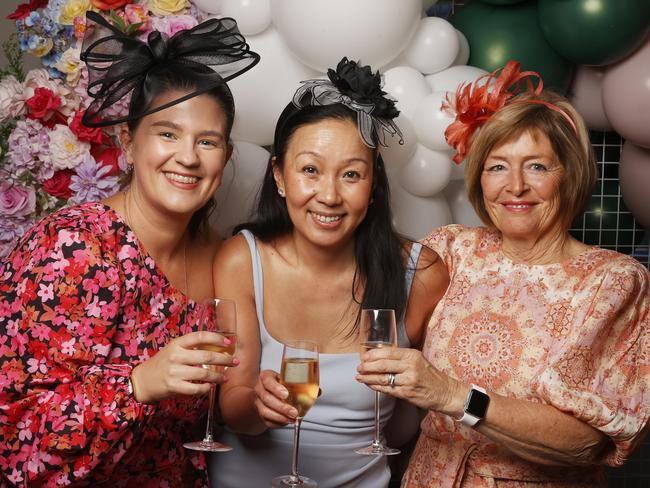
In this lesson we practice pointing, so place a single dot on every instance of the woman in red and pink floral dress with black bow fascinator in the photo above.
(100, 381)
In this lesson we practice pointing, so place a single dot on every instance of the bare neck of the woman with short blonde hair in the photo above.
(551, 248)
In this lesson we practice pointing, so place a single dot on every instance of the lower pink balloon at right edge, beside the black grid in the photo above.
(634, 175)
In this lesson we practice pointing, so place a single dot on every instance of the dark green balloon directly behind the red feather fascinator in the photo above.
(498, 34)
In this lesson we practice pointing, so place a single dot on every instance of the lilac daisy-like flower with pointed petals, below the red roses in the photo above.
(91, 182)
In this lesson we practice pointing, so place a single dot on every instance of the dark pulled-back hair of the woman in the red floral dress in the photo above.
(163, 80)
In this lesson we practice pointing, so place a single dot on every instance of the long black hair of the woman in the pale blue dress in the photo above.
(380, 265)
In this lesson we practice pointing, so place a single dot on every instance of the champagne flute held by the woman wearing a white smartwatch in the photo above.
(378, 330)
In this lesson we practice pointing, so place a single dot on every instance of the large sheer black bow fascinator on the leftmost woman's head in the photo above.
(118, 65)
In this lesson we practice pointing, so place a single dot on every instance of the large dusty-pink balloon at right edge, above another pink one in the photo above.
(626, 96)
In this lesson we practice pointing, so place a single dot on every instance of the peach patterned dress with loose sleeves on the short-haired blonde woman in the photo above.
(574, 335)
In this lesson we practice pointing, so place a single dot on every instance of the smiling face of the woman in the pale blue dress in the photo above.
(327, 178)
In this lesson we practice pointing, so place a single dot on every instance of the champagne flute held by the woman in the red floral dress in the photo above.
(219, 315)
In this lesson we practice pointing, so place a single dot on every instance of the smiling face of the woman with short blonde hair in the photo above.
(520, 183)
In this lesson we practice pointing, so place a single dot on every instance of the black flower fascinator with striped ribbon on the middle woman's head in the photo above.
(357, 88)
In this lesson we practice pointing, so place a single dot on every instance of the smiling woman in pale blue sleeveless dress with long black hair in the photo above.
(321, 248)
